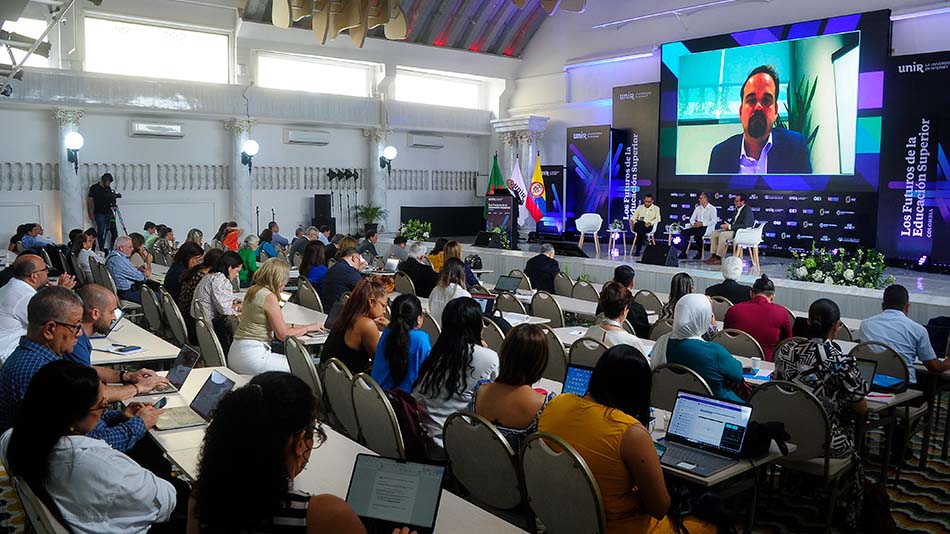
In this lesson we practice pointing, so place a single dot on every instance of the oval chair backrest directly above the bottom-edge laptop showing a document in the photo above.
(376, 419)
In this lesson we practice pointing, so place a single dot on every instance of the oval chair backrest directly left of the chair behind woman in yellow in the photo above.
(472, 443)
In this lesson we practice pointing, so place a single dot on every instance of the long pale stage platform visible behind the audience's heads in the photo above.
(929, 292)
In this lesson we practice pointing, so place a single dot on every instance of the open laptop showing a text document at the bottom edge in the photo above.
(388, 494)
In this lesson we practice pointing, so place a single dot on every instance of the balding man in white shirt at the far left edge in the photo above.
(30, 273)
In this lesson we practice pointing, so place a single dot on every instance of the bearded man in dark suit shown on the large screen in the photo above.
(760, 148)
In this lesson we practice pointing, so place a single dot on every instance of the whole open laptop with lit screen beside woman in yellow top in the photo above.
(705, 434)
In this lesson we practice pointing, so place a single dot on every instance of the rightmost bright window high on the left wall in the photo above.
(438, 88)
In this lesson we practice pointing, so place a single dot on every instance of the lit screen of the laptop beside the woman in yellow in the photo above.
(709, 423)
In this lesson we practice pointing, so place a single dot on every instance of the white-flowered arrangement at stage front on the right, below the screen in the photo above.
(862, 268)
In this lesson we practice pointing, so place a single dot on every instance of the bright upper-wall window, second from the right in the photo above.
(316, 74)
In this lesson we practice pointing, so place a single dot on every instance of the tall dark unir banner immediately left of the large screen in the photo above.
(636, 110)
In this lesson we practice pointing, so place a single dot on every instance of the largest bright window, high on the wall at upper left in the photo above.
(136, 49)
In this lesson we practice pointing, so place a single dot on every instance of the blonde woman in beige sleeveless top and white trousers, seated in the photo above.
(262, 320)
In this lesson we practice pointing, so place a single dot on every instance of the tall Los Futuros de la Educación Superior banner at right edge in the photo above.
(914, 192)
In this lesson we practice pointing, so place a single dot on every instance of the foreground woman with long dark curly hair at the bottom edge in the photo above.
(269, 428)
